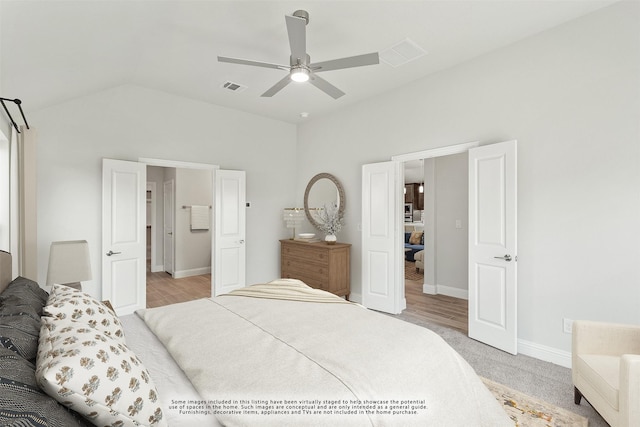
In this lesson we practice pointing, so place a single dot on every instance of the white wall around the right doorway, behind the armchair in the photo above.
(570, 96)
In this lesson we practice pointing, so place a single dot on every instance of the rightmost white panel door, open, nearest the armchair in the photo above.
(493, 245)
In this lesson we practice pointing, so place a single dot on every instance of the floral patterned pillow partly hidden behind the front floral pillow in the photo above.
(65, 303)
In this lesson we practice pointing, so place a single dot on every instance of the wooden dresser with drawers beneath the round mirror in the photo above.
(319, 265)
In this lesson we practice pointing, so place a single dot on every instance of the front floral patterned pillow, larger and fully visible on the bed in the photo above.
(95, 375)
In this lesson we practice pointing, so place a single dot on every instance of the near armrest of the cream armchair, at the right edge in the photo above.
(629, 390)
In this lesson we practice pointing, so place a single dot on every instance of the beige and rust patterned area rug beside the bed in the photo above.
(527, 411)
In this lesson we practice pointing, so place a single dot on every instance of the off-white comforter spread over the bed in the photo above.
(306, 355)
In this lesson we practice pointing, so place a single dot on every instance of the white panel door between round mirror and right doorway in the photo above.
(382, 237)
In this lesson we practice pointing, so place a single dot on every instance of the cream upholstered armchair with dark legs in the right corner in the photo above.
(606, 370)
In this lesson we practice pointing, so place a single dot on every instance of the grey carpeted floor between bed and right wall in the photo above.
(539, 379)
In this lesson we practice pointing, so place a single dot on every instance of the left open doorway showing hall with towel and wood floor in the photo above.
(178, 253)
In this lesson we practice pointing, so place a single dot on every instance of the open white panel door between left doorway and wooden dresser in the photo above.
(228, 251)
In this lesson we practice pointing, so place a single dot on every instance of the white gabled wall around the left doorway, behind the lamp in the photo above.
(129, 122)
